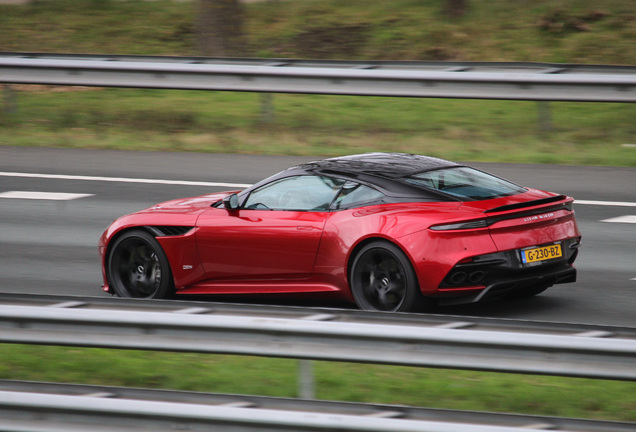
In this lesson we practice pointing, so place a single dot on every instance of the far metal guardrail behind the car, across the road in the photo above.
(466, 80)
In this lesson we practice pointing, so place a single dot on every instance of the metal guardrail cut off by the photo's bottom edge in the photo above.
(32, 407)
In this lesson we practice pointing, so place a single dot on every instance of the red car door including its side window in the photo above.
(275, 233)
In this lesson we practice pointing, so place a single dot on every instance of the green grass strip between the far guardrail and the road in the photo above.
(229, 122)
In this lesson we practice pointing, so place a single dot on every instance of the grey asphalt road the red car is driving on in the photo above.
(50, 246)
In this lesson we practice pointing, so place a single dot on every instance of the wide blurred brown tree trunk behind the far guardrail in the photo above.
(219, 28)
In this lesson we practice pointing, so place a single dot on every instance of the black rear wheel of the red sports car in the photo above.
(382, 279)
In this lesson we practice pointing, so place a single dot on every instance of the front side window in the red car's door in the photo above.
(301, 193)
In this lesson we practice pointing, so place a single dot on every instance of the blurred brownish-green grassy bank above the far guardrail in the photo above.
(582, 31)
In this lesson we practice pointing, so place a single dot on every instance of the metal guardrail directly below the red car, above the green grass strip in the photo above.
(604, 353)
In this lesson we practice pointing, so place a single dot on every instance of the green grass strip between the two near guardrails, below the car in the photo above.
(449, 389)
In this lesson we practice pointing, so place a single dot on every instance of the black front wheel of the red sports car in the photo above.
(137, 267)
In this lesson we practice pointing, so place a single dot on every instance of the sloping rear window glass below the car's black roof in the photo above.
(465, 183)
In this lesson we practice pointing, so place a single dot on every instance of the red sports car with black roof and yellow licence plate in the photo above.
(389, 232)
